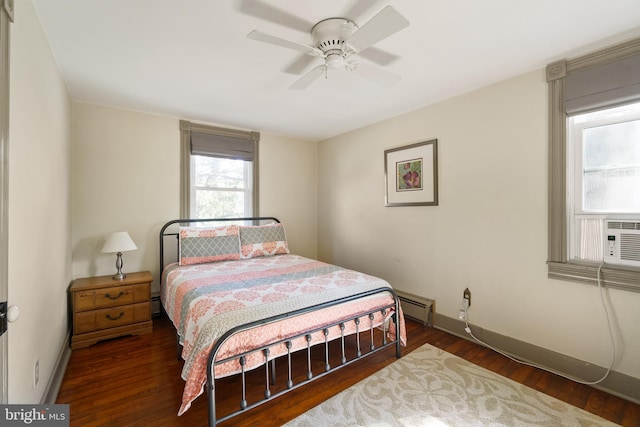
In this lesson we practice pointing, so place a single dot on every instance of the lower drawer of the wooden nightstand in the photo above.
(111, 317)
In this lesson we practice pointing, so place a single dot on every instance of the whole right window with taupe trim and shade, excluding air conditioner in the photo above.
(587, 174)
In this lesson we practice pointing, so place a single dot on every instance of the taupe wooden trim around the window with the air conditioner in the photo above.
(559, 267)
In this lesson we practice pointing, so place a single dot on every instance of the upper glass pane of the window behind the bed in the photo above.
(214, 172)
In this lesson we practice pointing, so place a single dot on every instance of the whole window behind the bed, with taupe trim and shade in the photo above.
(219, 172)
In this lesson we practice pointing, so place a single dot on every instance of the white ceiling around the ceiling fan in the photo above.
(191, 58)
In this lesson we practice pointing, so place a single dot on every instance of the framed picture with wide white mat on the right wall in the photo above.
(411, 175)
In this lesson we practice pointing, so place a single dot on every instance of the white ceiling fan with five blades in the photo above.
(337, 41)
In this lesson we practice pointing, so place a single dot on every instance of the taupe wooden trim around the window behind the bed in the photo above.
(186, 128)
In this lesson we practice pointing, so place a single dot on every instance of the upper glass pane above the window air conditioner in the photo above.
(611, 168)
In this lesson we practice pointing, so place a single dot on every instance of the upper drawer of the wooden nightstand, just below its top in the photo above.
(110, 297)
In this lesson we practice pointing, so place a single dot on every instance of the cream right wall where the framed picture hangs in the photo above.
(489, 232)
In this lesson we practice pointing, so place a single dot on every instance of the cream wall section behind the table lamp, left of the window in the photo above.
(125, 177)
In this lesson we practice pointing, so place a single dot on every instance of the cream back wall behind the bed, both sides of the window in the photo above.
(126, 176)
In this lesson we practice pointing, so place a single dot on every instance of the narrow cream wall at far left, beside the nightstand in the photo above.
(39, 197)
